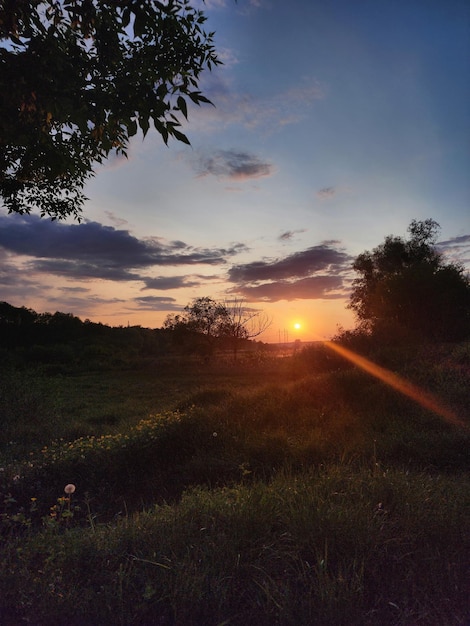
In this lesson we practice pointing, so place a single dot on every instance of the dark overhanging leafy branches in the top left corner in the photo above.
(78, 79)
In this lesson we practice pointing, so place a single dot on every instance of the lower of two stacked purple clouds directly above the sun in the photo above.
(311, 288)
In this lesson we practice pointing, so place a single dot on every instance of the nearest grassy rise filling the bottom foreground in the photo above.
(334, 547)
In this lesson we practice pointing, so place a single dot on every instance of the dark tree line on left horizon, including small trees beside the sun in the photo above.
(62, 340)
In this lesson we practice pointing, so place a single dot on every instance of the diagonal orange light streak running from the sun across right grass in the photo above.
(424, 398)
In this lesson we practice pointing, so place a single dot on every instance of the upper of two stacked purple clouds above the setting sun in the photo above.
(300, 264)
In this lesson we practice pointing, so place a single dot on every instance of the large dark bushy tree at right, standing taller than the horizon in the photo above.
(406, 291)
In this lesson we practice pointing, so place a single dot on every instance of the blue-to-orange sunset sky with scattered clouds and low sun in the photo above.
(335, 124)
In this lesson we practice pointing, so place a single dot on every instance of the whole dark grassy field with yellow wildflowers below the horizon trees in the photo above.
(297, 491)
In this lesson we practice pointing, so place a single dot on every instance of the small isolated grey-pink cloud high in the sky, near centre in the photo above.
(234, 165)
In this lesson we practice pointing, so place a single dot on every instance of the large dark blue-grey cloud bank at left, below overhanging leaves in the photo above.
(91, 250)
